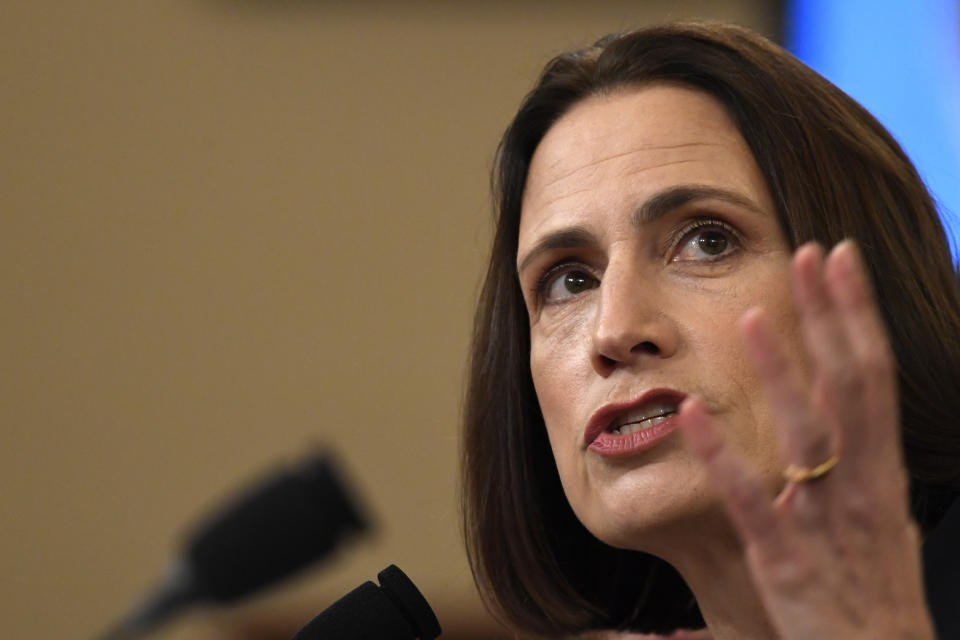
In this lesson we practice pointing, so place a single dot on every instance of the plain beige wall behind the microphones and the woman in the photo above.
(231, 231)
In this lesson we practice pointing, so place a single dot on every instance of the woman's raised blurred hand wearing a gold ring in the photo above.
(836, 556)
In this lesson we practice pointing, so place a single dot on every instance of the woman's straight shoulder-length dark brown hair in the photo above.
(834, 172)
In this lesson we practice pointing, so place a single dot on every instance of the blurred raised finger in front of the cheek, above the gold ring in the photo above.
(805, 438)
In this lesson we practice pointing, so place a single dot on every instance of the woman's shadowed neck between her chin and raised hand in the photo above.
(714, 566)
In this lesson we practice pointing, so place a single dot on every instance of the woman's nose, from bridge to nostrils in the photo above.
(632, 327)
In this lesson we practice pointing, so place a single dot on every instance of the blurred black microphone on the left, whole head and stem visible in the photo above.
(266, 533)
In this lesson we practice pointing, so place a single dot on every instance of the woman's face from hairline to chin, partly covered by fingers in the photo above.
(646, 232)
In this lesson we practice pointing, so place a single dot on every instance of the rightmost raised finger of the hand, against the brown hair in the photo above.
(850, 288)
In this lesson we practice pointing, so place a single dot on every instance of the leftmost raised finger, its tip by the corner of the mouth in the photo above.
(746, 499)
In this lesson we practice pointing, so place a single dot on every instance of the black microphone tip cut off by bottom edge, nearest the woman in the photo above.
(396, 610)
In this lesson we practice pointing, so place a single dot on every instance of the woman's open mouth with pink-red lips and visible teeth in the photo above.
(624, 429)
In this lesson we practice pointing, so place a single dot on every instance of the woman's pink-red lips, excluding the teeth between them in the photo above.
(599, 440)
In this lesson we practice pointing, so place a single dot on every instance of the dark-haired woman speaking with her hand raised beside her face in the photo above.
(684, 406)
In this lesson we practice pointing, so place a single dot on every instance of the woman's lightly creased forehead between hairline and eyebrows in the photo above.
(631, 143)
